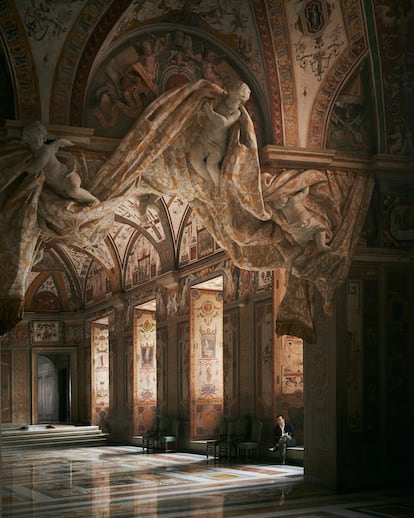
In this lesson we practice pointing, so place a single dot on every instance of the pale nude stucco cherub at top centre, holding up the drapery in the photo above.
(208, 150)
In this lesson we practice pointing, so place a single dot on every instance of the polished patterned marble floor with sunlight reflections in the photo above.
(123, 481)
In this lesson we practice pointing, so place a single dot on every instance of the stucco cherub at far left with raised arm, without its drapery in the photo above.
(64, 180)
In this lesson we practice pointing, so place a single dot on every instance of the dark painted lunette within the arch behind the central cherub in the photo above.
(121, 85)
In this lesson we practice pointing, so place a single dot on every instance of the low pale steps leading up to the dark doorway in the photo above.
(37, 436)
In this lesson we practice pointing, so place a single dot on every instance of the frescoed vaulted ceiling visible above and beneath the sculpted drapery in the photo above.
(323, 74)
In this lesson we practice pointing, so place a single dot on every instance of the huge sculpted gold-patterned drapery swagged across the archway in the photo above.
(244, 216)
